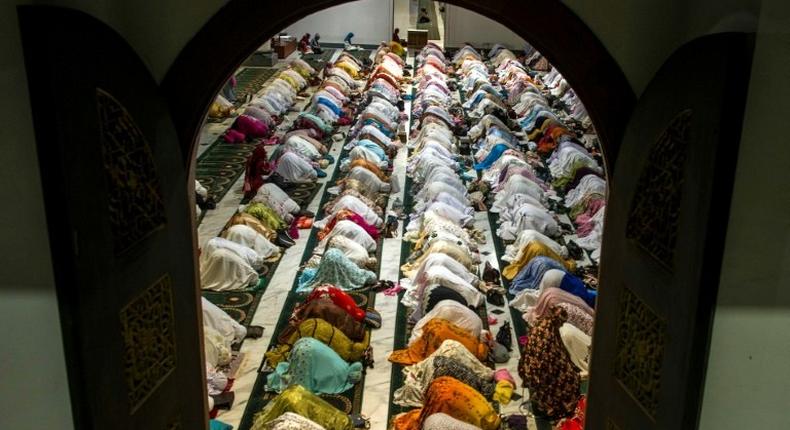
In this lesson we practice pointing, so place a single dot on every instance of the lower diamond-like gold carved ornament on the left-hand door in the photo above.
(149, 348)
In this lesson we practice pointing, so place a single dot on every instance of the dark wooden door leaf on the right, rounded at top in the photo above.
(665, 225)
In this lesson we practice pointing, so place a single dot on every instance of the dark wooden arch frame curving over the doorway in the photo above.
(241, 26)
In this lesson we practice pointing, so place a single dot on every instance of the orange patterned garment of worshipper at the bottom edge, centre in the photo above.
(450, 396)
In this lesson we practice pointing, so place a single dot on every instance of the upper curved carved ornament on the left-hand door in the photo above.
(135, 208)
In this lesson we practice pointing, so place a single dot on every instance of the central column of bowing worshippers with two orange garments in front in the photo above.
(448, 375)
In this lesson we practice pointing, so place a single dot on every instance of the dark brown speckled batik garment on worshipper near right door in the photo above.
(547, 370)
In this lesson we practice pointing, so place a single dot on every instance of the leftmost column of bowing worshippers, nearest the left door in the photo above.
(256, 234)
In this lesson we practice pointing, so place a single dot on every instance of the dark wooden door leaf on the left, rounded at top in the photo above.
(119, 224)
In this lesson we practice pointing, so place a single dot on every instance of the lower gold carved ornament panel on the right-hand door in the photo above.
(640, 350)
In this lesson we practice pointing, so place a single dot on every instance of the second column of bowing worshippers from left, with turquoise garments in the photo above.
(325, 347)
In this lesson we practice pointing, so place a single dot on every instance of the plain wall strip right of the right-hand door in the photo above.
(747, 379)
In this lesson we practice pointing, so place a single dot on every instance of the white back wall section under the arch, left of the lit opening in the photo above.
(369, 20)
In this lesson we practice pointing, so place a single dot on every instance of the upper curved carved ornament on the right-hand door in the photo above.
(655, 209)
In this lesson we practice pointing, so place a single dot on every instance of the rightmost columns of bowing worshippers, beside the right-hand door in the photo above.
(548, 190)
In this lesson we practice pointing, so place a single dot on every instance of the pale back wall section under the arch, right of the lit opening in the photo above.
(463, 25)
